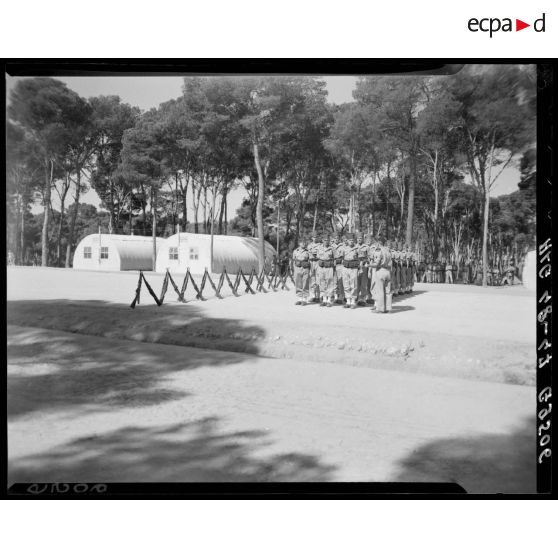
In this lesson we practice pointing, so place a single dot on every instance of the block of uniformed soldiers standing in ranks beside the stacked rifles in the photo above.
(353, 270)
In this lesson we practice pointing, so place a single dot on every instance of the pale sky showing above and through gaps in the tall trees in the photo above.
(149, 91)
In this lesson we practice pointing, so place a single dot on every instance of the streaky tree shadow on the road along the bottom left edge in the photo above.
(184, 452)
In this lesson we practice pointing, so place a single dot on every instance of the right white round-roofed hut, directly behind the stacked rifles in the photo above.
(189, 250)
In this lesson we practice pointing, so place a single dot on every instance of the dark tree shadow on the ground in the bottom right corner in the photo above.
(491, 463)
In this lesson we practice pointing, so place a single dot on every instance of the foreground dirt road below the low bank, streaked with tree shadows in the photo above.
(85, 408)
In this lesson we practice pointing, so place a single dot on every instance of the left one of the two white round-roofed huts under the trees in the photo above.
(115, 252)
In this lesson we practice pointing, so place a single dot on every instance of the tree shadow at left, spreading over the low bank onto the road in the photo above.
(57, 370)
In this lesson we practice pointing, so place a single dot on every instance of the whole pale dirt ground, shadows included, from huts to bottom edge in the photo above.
(439, 390)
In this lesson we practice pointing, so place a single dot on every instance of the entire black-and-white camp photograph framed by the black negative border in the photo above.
(228, 278)
